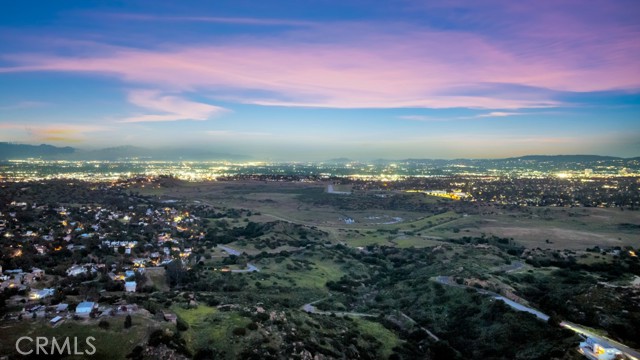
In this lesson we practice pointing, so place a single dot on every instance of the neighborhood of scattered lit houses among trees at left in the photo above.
(85, 245)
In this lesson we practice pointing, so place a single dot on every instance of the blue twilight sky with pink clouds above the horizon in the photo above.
(319, 79)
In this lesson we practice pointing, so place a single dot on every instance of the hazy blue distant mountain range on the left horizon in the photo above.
(9, 151)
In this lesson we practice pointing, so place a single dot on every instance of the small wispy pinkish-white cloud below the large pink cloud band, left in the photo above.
(169, 108)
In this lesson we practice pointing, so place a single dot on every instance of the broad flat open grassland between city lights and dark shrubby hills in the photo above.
(309, 204)
